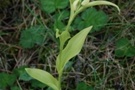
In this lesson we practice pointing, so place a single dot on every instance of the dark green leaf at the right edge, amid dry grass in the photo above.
(124, 48)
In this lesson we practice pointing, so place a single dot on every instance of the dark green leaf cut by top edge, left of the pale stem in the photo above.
(50, 6)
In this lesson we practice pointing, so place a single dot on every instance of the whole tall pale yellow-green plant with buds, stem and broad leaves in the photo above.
(69, 47)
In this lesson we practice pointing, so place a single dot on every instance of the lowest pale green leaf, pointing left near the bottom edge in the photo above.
(43, 77)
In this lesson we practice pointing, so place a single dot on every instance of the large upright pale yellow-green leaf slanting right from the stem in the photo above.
(73, 47)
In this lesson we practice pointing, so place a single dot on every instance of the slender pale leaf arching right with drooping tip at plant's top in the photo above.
(101, 2)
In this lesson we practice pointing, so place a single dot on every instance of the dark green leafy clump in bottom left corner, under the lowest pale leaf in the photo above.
(13, 80)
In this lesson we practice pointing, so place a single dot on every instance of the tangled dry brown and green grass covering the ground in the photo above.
(96, 65)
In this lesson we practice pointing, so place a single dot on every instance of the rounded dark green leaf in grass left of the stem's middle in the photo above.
(31, 36)
